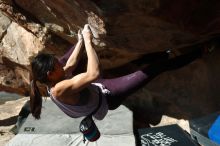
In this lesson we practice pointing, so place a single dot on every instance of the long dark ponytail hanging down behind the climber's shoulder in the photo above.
(35, 100)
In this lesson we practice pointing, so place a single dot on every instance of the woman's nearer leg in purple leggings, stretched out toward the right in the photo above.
(122, 87)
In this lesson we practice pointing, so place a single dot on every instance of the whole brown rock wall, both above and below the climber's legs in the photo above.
(123, 30)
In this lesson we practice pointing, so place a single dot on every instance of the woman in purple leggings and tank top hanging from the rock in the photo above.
(86, 93)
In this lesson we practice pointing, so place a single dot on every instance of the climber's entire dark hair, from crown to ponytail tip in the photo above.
(40, 65)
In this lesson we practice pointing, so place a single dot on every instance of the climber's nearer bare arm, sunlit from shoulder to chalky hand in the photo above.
(80, 81)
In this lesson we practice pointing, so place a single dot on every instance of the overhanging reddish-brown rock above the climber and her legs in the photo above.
(123, 30)
